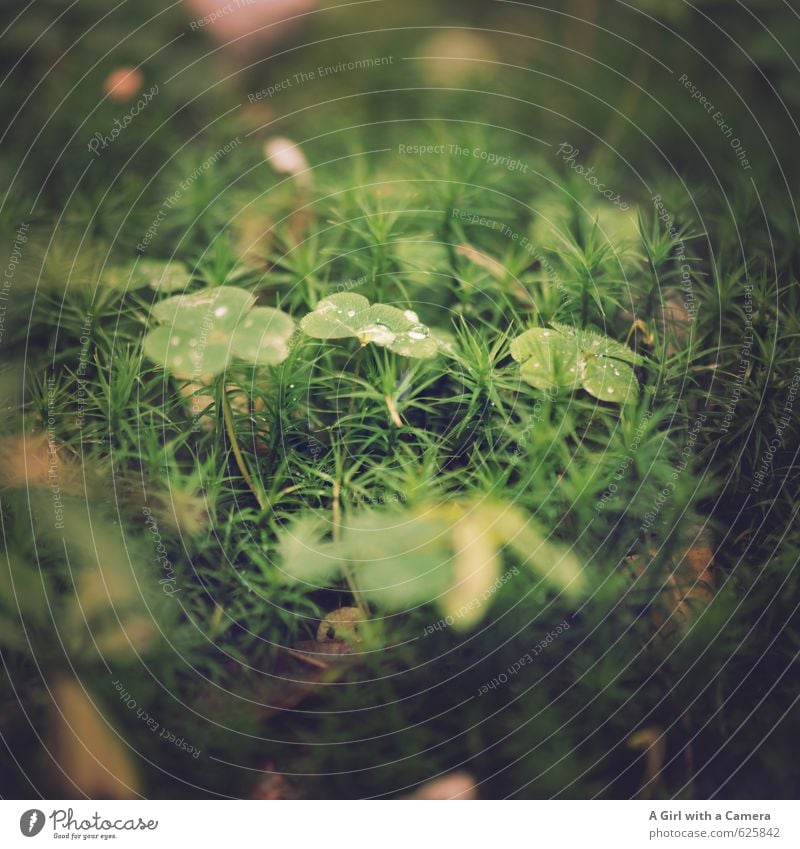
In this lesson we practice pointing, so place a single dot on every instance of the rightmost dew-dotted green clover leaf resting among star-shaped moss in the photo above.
(560, 357)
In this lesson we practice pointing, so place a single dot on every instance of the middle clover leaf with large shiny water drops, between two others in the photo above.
(345, 314)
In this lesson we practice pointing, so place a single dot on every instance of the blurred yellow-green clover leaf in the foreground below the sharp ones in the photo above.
(450, 554)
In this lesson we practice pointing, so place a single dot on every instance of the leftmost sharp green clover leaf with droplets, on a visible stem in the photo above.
(202, 332)
